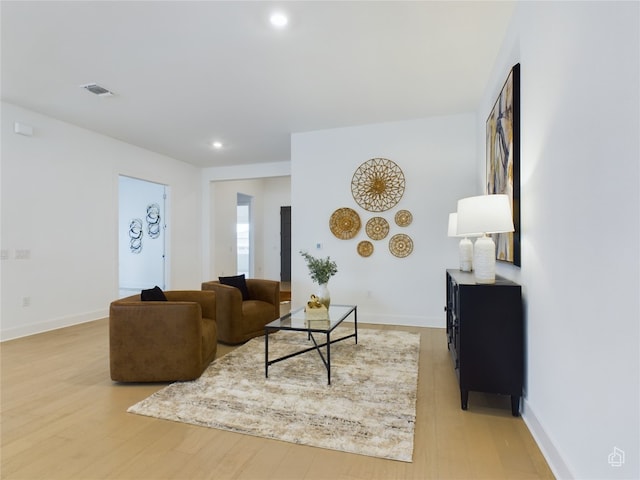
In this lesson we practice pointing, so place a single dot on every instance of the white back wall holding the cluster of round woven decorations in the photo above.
(437, 157)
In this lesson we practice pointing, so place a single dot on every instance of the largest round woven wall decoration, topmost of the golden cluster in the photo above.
(377, 185)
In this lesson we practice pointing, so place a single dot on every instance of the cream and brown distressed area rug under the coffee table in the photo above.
(369, 408)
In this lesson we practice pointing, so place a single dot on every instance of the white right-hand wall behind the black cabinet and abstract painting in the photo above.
(580, 228)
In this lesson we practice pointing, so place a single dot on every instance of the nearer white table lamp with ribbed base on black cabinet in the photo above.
(486, 214)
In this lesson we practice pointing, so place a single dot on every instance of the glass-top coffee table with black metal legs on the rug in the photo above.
(296, 321)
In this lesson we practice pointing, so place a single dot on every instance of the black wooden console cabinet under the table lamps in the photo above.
(485, 336)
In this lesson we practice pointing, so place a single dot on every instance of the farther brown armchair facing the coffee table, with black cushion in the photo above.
(238, 320)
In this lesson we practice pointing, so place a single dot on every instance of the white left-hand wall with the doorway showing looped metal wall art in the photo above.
(60, 202)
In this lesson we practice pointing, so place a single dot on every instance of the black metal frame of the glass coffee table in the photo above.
(316, 346)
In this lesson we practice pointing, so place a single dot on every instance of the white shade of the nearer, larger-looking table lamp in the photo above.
(484, 214)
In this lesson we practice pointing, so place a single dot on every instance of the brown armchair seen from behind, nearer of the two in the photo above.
(161, 341)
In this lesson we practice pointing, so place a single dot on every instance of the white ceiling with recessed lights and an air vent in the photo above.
(185, 74)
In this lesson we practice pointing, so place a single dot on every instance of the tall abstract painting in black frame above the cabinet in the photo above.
(503, 161)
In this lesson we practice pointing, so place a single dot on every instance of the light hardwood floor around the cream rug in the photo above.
(63, 418)
